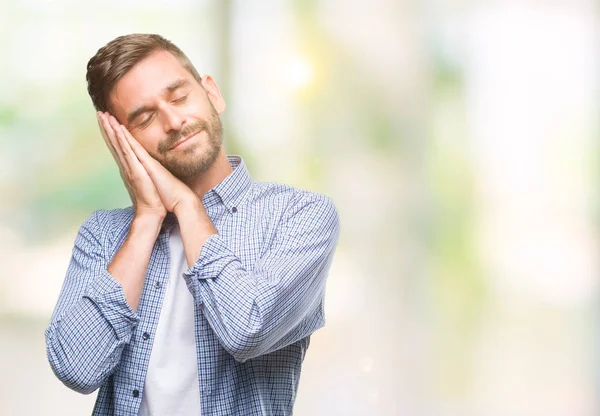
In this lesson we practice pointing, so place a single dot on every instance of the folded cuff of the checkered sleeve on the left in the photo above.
(109, 297)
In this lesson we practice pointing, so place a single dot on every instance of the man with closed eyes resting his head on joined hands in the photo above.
(202, 296)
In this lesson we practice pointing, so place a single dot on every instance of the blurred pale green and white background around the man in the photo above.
(458, 140)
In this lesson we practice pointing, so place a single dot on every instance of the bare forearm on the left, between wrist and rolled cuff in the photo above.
(130, 264)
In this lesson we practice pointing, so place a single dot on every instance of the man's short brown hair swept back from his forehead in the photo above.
(118, 56)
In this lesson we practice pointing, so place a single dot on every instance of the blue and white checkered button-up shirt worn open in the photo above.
(258, 288)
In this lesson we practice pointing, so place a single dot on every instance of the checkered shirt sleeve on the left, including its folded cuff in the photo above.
(92, 320)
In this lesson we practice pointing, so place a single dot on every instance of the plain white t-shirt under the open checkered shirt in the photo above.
(171, 386)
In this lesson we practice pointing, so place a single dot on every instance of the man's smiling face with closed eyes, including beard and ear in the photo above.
(175, 118)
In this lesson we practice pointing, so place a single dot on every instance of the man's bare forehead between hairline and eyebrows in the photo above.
(146, 81)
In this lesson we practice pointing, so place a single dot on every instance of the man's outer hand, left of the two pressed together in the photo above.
(142, 191)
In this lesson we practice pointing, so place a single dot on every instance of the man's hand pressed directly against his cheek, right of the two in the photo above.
(174, 194)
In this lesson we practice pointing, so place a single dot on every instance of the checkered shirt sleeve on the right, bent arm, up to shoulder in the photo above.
(281, 300)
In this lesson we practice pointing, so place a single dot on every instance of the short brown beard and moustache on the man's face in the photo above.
(195, 159)
